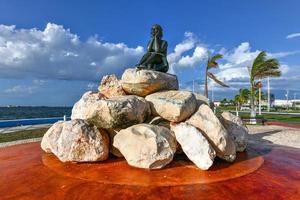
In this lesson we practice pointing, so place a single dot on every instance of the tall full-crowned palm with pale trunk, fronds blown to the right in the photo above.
(261, 68)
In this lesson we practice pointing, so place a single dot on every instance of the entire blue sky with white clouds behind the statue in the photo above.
(53, 51)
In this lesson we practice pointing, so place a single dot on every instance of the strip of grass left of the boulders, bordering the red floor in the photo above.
(22, 135)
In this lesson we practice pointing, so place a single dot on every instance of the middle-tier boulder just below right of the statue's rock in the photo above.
(173, 105)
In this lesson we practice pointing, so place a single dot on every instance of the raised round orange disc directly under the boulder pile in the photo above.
(180, 172)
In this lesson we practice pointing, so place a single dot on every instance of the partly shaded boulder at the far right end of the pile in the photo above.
(237, 130)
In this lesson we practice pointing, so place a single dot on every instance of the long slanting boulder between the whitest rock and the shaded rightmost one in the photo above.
(205, 120)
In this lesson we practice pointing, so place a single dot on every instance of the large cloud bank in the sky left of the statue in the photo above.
(56, 53)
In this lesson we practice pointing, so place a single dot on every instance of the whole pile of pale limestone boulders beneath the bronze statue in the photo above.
(145, 118)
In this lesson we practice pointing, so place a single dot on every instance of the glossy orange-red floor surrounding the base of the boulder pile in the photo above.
(260, 173)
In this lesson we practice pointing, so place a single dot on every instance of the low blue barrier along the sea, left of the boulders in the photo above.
(33, 121)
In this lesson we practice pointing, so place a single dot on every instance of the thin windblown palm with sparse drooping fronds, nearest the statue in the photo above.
(212, 63)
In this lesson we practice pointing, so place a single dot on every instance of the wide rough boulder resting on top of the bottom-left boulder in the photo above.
(116, 112)
